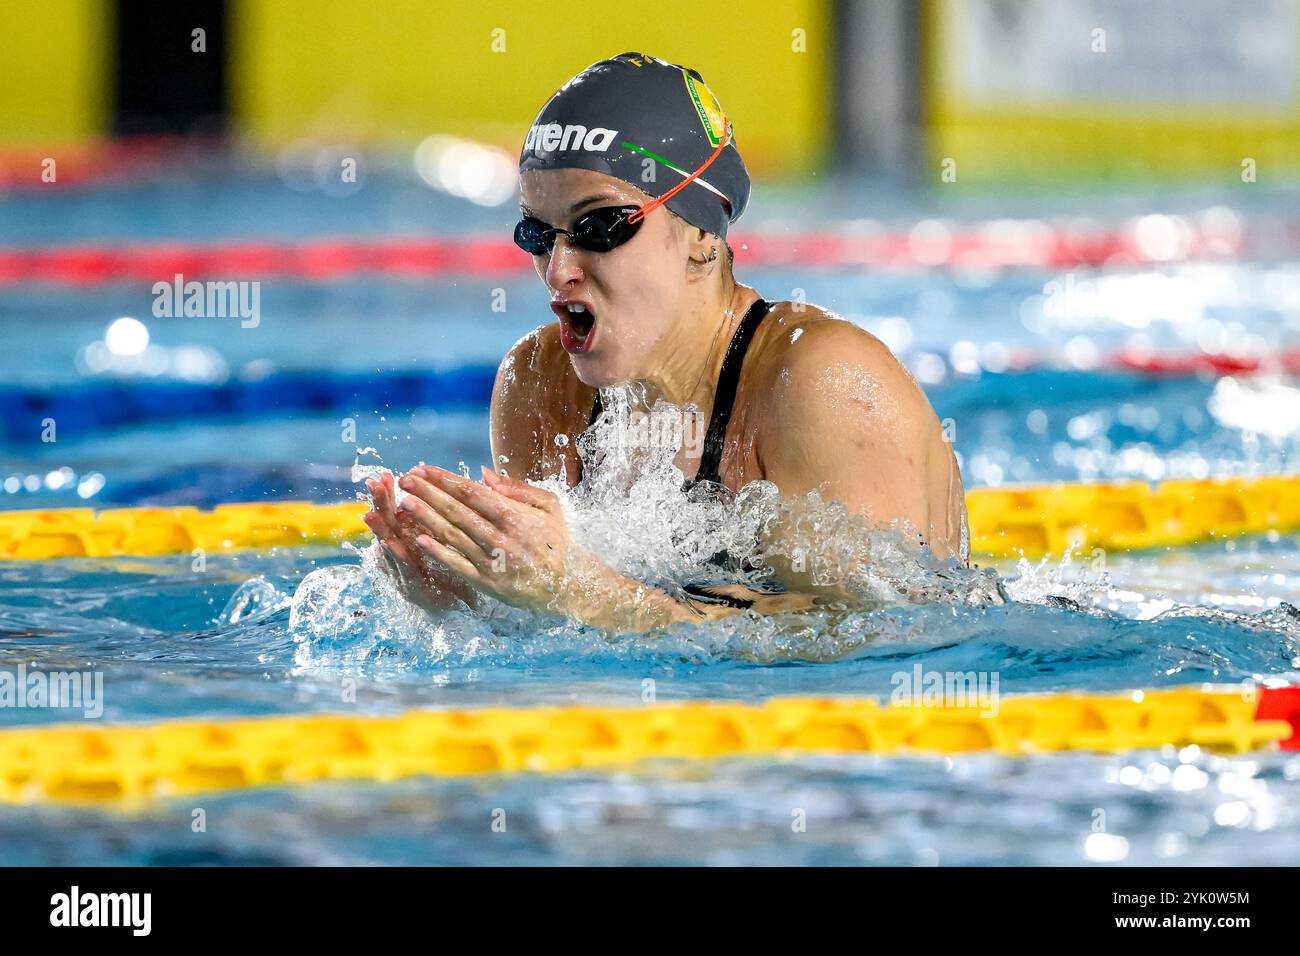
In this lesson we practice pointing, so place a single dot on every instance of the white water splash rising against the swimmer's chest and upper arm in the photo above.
(630, 511)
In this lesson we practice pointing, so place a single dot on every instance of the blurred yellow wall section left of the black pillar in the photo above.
(54, 71)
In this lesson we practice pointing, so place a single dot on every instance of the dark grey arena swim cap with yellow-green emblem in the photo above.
(651, 124)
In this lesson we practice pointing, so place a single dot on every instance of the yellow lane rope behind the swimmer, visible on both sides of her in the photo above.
(1006, 522)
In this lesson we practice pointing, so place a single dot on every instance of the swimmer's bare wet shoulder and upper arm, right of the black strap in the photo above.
(847, 419)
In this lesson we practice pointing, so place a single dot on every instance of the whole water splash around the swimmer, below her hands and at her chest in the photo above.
(631, 511)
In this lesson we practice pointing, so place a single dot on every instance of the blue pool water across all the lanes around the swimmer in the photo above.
(1030, 397)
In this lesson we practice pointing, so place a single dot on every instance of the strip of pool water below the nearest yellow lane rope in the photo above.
(1162, 810)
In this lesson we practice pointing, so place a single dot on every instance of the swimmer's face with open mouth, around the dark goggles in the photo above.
(634, 292)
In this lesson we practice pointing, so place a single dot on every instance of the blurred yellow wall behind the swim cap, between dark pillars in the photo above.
(409, 68)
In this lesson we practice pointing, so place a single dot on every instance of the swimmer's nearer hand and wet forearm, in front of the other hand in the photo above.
(509, 539)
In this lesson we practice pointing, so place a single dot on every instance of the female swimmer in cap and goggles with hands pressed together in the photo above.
(630, 179)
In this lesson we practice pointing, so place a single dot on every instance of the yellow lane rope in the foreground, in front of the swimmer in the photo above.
(84, 764)
